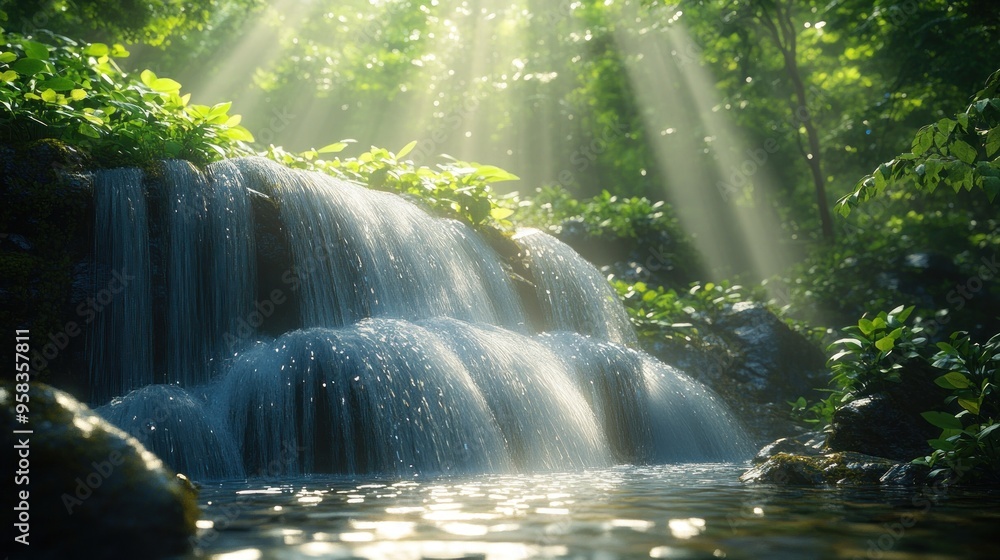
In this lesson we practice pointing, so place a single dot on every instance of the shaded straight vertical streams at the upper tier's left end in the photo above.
(206, 275)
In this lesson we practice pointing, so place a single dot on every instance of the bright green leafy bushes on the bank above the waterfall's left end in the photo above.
(53, 87)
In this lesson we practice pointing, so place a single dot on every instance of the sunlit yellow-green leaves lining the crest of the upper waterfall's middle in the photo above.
(457, 189)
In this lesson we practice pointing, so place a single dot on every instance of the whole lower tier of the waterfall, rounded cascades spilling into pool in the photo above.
(435, 396)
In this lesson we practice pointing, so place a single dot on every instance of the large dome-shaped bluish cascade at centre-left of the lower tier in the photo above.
(336, 391)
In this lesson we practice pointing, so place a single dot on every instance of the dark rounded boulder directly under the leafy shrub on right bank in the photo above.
(879, 425)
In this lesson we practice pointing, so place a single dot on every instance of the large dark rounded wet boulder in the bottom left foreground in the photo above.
(92, 487)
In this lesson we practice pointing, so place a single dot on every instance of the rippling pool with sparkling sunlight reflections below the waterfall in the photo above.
(667, 511)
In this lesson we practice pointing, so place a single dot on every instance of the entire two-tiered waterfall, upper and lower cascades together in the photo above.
(409, 349)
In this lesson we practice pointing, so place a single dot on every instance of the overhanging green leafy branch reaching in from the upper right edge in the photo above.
(962, 153)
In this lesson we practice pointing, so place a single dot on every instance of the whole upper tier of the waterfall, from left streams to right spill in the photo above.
(247, 248)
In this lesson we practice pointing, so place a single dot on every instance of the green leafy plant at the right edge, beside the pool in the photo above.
(969, 441)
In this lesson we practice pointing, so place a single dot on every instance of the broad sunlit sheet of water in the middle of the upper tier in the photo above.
(367, 253)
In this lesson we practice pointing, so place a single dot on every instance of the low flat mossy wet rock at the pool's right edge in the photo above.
(831, 468)
